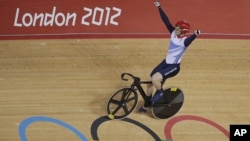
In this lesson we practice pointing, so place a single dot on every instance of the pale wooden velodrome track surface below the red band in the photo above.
(70, 80)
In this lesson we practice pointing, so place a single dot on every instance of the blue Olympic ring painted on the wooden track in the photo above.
(28, 121)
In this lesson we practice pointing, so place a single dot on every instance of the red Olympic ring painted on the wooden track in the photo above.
(173, 121)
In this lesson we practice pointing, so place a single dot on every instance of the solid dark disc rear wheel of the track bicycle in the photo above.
(169, 104)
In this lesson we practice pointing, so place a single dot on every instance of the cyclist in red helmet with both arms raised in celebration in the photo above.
(170, 66)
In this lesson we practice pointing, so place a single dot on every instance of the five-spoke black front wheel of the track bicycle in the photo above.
(122, 103)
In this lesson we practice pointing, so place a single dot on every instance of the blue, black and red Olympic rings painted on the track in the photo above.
(94, 127)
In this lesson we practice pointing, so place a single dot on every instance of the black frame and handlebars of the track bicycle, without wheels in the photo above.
(137, 84)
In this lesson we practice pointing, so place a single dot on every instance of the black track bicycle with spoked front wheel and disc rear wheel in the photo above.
(124, 101)
